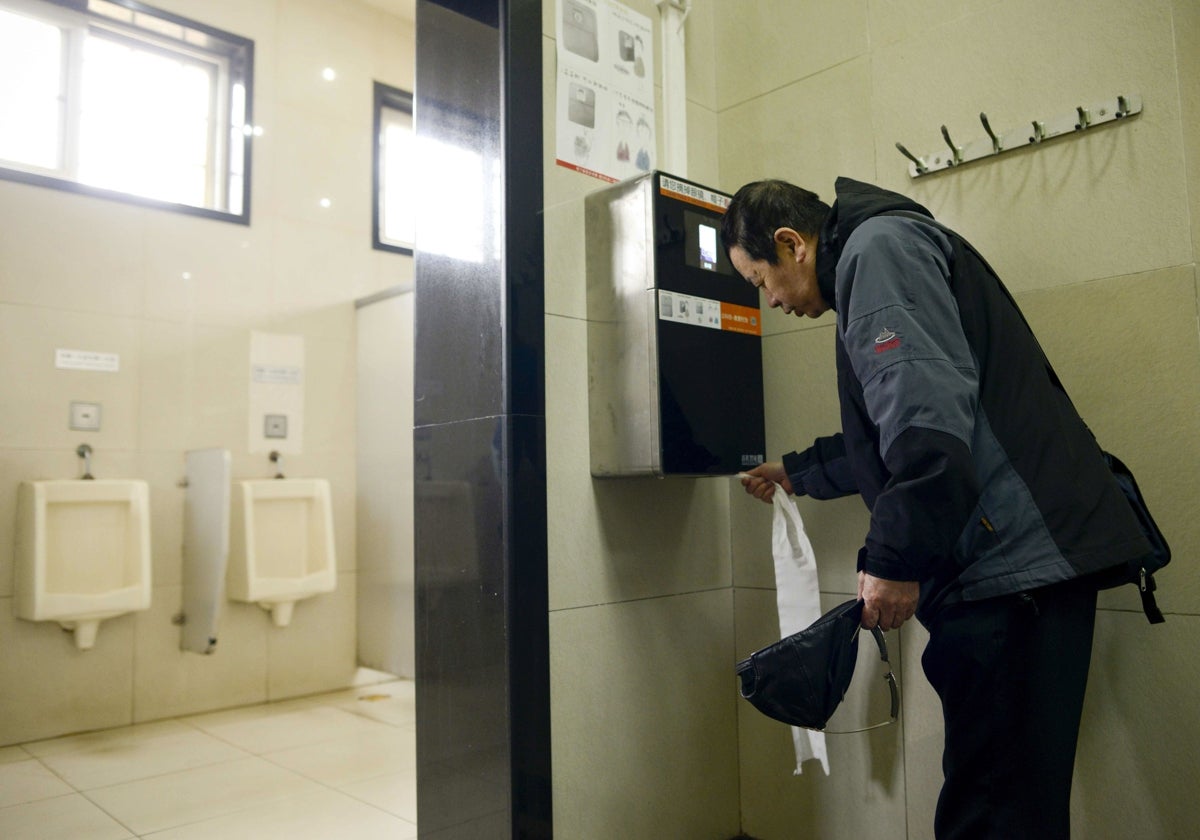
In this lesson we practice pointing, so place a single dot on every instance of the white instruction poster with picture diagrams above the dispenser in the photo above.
(605, 98)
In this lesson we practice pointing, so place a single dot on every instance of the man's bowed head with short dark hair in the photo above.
(771, 233)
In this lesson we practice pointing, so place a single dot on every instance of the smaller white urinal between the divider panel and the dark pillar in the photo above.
(281, 544)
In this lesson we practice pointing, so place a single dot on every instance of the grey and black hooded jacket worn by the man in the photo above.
(981, 477)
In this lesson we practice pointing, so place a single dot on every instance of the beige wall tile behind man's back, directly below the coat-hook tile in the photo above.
(1129, 352)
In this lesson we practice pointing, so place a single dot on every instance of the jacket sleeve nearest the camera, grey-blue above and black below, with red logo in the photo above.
(905, 343)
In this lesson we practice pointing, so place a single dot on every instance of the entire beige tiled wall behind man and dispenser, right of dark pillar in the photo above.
(1097, 236)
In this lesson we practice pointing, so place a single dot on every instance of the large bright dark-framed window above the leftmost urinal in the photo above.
(115, 99)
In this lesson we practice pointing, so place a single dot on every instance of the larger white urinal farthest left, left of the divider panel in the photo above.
(83, 553)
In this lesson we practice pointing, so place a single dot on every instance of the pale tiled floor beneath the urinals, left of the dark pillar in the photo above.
(341, 765)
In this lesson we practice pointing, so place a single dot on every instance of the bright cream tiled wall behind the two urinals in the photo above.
(85, 274)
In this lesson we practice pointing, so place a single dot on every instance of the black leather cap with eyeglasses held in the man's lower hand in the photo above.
(802, 680)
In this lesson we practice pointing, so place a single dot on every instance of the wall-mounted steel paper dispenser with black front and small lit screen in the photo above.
(675, 359)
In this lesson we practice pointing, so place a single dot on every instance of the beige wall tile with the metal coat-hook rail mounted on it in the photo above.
(1107, 203)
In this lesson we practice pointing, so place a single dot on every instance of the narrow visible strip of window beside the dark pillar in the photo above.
(394, 171)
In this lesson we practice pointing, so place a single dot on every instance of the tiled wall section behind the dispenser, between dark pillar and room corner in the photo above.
(644, 722)
